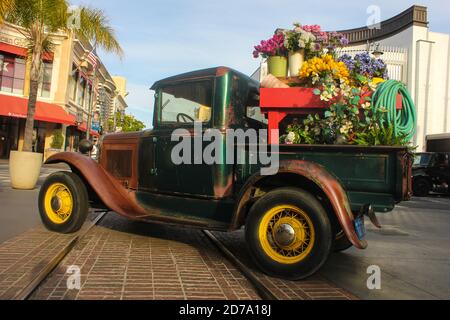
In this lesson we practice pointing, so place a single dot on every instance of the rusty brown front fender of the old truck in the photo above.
(116, 197)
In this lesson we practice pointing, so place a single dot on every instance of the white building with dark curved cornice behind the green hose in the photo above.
(419, 58)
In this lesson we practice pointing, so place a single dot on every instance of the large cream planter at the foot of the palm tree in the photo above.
(24, 169)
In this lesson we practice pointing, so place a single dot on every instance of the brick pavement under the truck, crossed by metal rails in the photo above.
(122, 259)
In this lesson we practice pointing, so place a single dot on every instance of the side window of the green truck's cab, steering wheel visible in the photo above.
(186, 103)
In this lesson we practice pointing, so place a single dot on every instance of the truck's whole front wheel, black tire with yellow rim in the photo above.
(79, 200)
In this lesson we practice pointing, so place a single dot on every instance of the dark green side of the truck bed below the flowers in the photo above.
(379, 175)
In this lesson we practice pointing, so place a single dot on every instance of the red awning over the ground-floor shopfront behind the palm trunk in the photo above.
(16, 107)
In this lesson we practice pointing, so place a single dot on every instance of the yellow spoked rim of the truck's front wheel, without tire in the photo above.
(58, 203)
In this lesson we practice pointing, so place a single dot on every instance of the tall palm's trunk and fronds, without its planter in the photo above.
(37, 20)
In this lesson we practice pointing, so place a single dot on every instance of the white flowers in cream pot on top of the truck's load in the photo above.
(297, 41)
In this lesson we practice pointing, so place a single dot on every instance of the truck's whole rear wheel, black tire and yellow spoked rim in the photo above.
(289, 233)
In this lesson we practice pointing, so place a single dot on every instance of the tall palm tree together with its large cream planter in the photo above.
(37, 22)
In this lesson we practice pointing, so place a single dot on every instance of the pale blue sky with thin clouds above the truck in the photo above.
(162, 38)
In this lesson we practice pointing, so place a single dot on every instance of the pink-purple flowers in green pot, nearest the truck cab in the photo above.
(273, 49)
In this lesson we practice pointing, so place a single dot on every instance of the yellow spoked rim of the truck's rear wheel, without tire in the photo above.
(286, 234)
